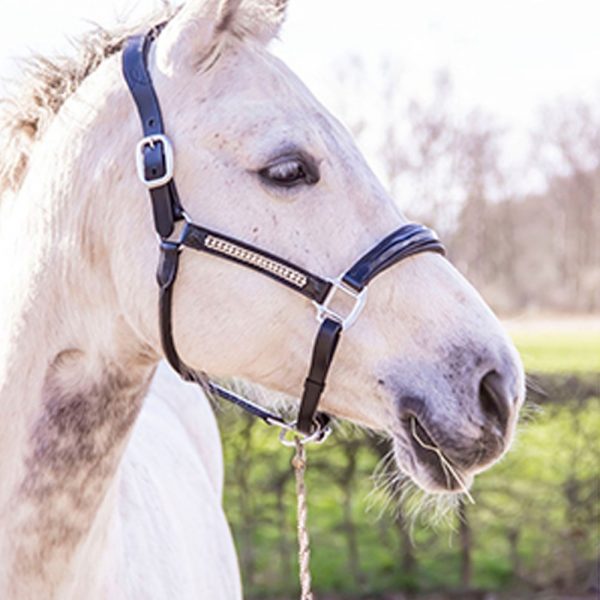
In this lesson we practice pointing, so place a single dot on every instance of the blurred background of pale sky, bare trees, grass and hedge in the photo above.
(483, 120)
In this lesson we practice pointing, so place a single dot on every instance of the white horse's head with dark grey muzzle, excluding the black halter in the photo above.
(258, 158)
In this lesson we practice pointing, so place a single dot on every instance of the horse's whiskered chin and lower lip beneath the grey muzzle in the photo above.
(426, 470)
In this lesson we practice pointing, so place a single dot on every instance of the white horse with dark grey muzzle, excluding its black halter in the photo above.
(110, 492)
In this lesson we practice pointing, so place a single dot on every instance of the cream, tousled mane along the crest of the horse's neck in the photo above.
(45, 85)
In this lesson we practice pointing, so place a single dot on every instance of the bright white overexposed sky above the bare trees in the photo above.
(507, 58)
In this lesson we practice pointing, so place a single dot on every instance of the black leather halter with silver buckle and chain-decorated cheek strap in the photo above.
(154, 160)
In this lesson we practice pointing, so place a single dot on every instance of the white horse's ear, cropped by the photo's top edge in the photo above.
(195, 30)
